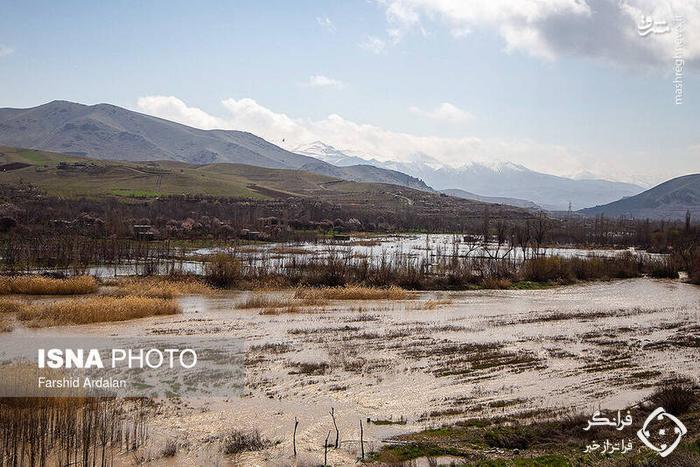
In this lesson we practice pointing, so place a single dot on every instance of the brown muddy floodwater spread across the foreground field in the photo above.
(439, 357)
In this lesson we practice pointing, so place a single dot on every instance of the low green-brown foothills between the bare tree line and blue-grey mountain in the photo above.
(292, 191)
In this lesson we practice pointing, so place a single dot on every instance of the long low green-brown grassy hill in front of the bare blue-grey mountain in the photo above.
(80, 177)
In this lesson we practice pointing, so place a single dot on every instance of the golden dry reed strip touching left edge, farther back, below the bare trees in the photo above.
(40, 285)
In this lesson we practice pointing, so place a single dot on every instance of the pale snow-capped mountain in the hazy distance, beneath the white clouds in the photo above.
(502, 179)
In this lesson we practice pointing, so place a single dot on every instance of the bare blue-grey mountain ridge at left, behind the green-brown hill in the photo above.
(109, 132)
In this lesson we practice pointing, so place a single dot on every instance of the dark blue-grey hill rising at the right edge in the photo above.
(669, 200)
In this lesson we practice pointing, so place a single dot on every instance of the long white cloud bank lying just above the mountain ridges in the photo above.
(248, 115)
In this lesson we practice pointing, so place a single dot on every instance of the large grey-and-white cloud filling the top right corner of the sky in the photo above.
(552, 28)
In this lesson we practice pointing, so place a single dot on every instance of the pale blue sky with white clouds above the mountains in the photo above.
(568, 87)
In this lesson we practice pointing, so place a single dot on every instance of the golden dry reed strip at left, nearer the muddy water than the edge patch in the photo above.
(97, 310)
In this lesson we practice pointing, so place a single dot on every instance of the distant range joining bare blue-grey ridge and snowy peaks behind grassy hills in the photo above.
(108, 132)
